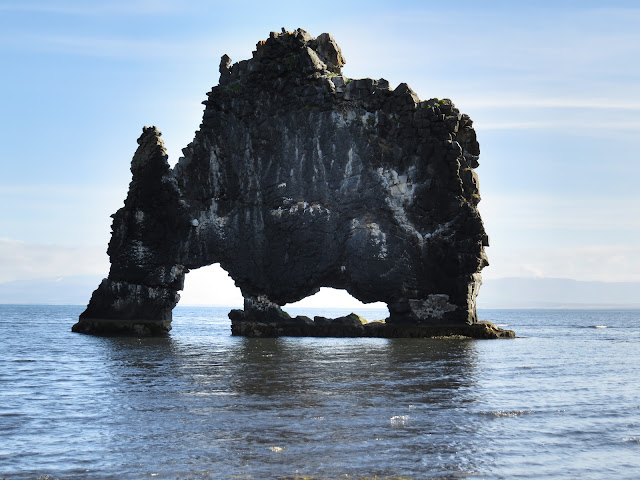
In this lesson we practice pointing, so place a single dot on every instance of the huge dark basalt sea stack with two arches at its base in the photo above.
(301, 178)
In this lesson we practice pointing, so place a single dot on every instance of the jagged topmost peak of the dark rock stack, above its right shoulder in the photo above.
(287, 53)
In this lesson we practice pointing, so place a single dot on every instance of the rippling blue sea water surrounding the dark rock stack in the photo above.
(562, 401)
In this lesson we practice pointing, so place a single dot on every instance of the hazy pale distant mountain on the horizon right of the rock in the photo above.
(557, 293)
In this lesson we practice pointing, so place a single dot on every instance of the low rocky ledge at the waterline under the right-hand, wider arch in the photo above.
(355, 326)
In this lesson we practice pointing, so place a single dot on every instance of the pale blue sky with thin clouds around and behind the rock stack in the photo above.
(552, 87)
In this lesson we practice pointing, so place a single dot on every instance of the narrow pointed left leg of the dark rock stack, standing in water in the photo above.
(147, 232)
